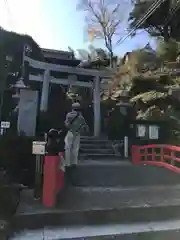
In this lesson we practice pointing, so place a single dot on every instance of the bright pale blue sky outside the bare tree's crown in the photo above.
(54, 24)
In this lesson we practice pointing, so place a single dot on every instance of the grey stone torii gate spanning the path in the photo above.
(46, 78)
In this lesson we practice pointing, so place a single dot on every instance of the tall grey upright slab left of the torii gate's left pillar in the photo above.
(28, 104)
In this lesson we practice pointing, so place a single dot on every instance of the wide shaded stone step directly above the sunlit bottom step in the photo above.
(79, 206)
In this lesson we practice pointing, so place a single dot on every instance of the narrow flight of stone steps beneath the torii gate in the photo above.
(93, 148)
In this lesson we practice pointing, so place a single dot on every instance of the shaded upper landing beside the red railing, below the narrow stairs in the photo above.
(120, 172)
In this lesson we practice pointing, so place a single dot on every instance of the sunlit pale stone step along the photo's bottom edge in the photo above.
(162, 230)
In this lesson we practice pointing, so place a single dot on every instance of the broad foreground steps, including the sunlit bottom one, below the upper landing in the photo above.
(83, 213)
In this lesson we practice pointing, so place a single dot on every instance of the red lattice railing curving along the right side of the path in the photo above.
(159, 155)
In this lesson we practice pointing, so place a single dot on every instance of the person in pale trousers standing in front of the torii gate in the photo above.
(76, 125)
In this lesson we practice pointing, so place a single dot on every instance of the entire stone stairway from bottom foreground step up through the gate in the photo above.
(107, 200)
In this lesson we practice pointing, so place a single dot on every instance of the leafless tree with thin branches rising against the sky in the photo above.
(104, 17)
